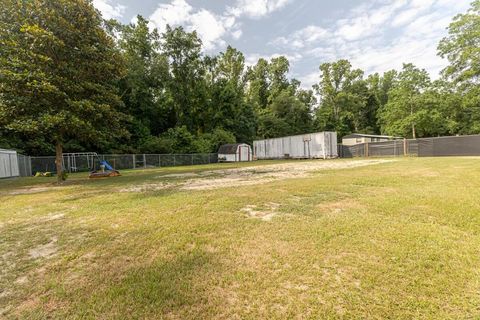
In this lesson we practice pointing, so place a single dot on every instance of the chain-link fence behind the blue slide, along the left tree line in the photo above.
(121, 161)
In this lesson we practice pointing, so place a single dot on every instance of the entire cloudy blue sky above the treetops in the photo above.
(375, 35)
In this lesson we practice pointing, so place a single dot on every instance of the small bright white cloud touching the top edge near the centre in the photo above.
(256, 8)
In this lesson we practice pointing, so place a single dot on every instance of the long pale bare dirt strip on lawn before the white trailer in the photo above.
(215, 179)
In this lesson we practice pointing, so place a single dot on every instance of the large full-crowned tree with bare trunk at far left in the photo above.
(58, 73)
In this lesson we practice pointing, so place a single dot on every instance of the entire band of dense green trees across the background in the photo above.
(68, 77)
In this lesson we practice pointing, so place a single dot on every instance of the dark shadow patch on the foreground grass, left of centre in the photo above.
(164, 287)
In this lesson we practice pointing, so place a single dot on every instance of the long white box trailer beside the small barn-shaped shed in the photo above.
(319, 145)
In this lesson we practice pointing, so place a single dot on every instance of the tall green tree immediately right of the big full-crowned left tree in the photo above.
(142, 88)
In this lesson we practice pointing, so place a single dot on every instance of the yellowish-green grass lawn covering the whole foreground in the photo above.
(397, 240)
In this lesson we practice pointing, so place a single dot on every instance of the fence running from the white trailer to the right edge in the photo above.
(424, 147)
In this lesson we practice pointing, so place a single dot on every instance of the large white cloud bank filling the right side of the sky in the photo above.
(377, 37)
